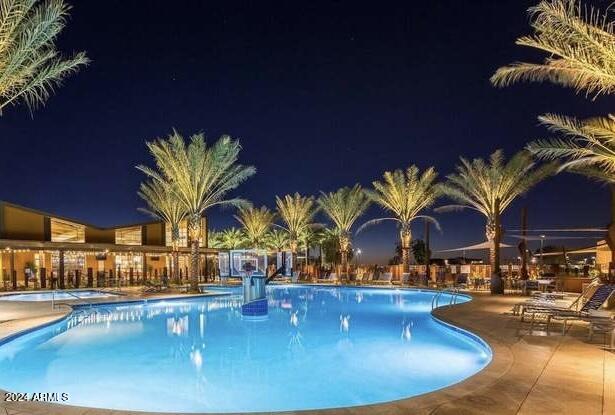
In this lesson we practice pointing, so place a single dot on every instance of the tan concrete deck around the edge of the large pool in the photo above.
(530, 373)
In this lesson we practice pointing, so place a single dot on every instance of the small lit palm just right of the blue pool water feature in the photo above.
(296, 212)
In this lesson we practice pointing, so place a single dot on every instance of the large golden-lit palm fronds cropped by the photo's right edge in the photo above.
(579, 43)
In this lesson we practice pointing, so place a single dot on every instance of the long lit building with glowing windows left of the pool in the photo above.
(43, 250)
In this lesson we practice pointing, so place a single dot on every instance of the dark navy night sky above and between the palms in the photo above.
(321, 95)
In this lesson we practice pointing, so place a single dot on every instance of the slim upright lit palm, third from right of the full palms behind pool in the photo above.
(344, 207)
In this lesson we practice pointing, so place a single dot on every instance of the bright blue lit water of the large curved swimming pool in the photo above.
(320, 347)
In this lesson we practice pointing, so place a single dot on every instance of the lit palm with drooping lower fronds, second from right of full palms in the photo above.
(405, 196)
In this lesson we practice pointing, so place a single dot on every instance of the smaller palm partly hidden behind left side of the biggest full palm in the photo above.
(163, 205)
